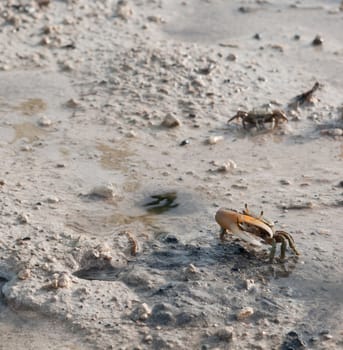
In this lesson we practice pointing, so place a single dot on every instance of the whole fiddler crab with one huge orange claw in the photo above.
(253, 228)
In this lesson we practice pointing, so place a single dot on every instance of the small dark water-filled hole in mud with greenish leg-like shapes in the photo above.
(161, 202)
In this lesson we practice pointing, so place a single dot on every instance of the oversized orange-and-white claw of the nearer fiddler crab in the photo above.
(235, 222)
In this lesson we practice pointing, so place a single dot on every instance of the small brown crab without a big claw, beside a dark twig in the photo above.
(258, 118)
